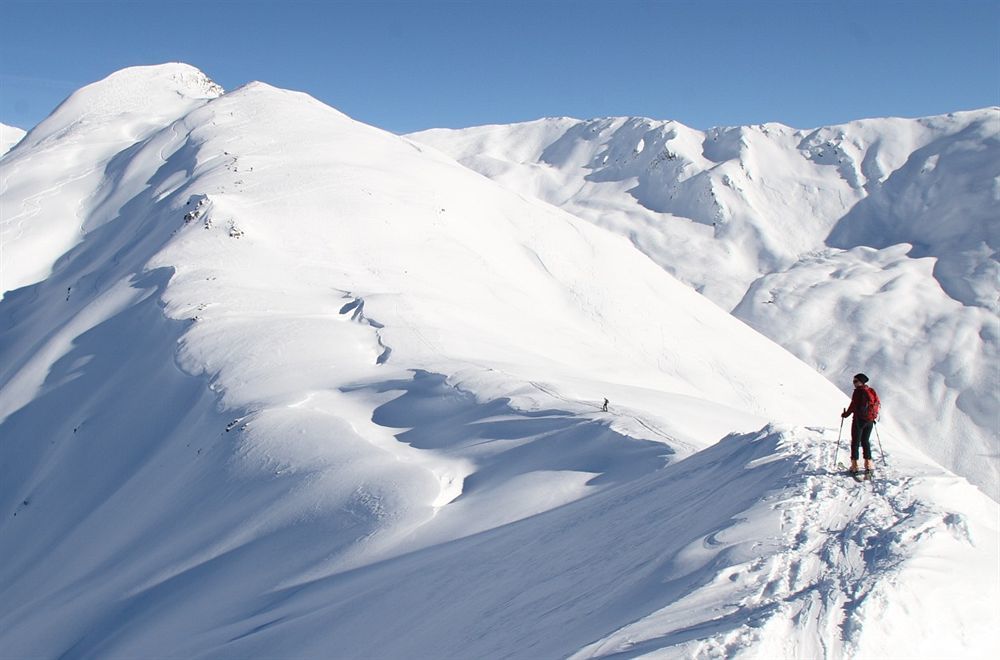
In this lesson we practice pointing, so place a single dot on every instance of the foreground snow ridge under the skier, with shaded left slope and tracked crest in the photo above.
(751, 545)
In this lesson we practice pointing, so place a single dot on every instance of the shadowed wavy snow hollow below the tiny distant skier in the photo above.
(504, 463)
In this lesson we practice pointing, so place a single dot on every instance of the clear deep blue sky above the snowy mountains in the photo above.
(406, 65)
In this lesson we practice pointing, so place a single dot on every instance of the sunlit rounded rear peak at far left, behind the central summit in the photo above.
(49, 194)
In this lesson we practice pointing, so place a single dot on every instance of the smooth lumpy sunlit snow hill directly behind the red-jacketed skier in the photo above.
(936, 359)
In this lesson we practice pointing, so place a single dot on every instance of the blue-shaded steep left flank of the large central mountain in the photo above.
(120, 484)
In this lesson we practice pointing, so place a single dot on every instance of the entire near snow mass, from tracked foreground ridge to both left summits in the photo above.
(277, 383)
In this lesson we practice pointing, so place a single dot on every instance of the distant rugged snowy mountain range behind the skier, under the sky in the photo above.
(870, 246)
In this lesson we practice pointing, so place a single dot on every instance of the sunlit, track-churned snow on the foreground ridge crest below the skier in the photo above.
(839, 568)
